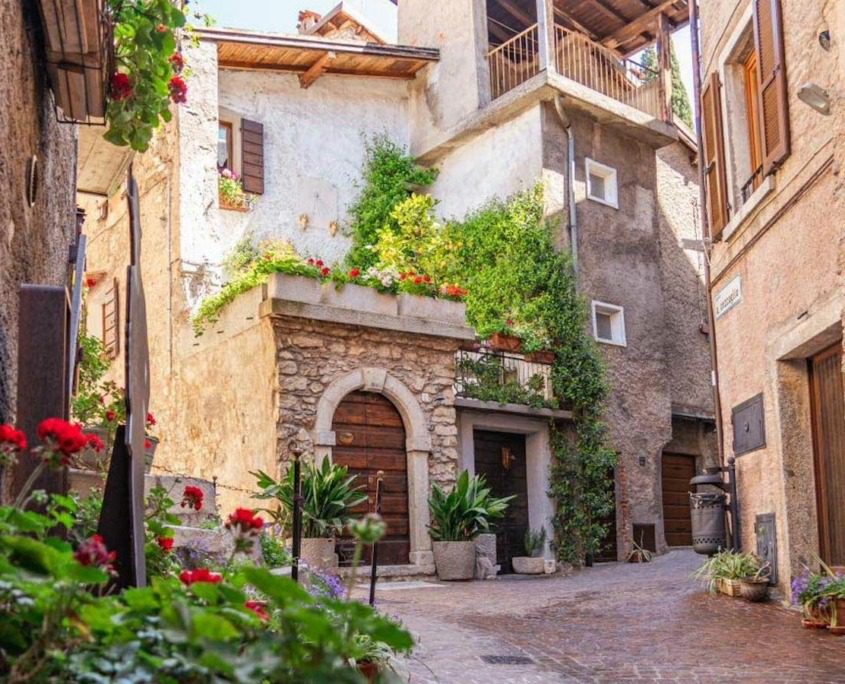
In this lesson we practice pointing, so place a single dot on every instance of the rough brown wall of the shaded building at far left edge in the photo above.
(34, 241)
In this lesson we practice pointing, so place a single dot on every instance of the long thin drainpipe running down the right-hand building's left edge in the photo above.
(707, 244)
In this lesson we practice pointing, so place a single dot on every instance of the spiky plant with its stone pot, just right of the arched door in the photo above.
(457, 518)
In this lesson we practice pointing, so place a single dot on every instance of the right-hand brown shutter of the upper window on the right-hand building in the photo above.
(771, 74)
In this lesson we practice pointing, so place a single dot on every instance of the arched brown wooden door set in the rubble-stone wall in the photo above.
(370, 436)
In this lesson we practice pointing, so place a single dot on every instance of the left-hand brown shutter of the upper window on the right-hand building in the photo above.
(715, 179)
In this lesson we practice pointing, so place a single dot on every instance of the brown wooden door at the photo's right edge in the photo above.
(828, 411)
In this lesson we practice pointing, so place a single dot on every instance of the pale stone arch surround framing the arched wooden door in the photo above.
(418, 446)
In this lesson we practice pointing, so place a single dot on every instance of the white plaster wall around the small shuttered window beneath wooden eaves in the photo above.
(314, 151)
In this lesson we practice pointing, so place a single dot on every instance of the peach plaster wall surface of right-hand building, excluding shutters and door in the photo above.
(788, 253)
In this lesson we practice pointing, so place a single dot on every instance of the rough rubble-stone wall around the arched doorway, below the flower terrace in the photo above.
(312, 354)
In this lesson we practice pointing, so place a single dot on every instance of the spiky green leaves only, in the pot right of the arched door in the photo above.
(466, 511)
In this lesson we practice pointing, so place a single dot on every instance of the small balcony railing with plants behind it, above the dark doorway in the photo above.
(505, 378)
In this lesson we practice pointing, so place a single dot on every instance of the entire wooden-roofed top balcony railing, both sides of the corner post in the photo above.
(580, 59)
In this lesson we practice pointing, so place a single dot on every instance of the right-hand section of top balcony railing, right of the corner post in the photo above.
(593, 65)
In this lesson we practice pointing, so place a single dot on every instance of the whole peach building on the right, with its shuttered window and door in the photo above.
(772, 123)
